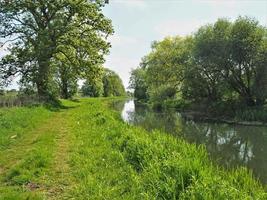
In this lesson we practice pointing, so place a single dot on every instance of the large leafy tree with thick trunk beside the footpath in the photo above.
(41, 32)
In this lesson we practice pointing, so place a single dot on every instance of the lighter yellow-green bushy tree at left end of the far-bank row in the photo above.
(161, 72)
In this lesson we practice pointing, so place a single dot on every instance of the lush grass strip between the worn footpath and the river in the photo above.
(129, 163)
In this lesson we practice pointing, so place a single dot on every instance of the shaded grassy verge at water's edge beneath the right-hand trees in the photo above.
(234, 112)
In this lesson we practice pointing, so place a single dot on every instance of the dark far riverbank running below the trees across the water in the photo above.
(229, 114)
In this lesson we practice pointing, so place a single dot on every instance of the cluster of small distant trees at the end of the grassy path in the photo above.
(108, 85)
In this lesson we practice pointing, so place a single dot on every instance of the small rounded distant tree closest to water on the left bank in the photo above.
(112, 84)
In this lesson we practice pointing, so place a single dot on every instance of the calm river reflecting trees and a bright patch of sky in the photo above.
(228, 145)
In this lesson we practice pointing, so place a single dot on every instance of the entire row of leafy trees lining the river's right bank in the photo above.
(222, 63)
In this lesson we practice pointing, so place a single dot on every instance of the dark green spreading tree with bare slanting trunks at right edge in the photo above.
(232, 54)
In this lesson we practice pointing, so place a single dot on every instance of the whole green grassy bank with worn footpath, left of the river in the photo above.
(84, 151)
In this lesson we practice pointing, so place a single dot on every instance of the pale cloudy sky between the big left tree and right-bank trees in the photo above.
(139, 22)
